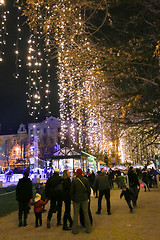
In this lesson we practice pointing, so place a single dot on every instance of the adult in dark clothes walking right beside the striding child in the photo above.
(134, 184)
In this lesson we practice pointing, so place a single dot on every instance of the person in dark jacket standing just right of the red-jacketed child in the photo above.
(53, 191)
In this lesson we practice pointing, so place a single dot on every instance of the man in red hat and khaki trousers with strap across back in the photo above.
(80, 193)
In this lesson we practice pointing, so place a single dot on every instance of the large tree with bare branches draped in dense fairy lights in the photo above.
(107, 69)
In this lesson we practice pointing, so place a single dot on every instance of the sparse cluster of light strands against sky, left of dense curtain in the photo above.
(39, 83)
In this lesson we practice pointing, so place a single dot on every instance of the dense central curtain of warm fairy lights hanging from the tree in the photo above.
(74, 102)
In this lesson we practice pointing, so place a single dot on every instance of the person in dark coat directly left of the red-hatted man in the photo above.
(67, 200)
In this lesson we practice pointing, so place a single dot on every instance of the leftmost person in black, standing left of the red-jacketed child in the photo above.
(23, 196)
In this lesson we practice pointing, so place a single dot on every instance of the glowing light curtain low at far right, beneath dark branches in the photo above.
(135, 145)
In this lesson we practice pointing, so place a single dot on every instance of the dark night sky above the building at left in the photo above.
(13, 109)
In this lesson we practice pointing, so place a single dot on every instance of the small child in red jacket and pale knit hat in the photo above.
(38, 208)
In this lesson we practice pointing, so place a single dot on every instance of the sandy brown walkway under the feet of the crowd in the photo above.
(143, 224)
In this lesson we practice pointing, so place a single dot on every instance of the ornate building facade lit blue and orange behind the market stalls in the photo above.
(34, 147)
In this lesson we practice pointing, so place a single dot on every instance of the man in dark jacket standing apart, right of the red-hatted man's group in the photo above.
(102, 183)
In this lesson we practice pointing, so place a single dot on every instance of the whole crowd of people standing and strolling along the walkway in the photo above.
(77, 189)
